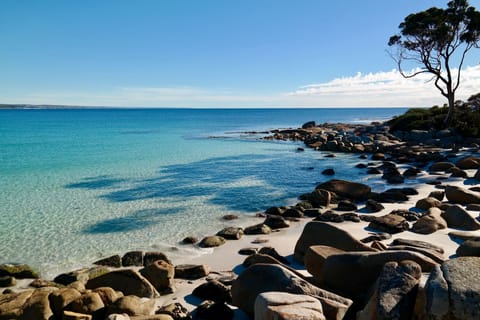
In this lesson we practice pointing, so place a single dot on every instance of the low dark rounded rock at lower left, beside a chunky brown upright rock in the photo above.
(129, 282)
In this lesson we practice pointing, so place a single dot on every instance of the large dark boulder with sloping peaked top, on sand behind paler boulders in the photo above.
(320, 233)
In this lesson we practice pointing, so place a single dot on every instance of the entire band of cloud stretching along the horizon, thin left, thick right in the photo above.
(379, 89)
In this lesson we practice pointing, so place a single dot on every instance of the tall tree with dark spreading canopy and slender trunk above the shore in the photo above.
(437, 40)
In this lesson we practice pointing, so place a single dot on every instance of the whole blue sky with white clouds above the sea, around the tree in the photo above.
(212, 53)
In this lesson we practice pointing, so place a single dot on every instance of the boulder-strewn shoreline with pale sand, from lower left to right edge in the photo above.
(342, 252)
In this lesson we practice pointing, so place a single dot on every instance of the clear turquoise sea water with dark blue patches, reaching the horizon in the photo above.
(77, 185)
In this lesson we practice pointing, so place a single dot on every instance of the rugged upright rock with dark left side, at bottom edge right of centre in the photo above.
(395, 292)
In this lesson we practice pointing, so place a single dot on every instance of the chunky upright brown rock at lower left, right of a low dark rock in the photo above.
(160, 274)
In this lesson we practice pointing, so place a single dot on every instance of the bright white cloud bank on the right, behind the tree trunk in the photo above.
(384, 89)
